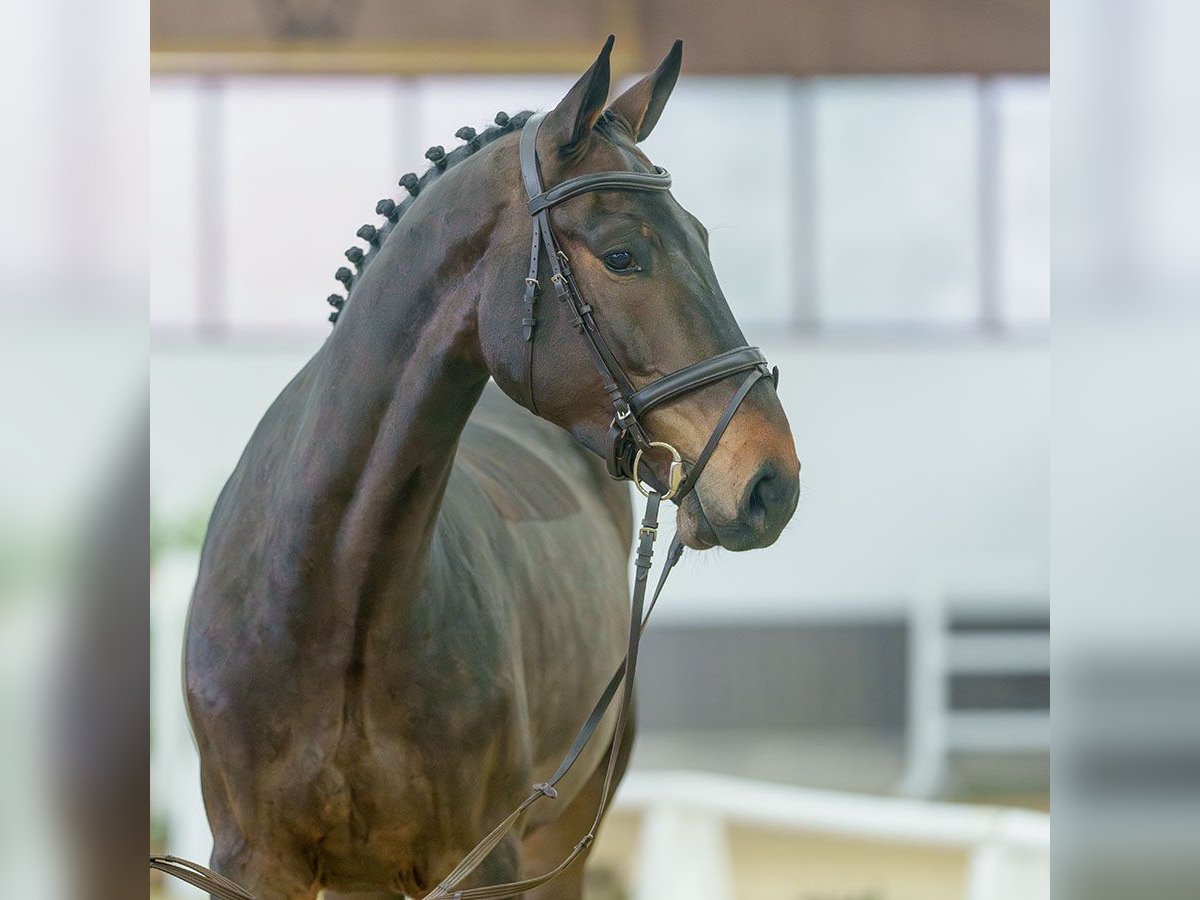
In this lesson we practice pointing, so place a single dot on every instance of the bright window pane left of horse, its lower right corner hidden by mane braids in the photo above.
(305, 161)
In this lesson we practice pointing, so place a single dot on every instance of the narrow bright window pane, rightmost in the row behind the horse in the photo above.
(1023, 111)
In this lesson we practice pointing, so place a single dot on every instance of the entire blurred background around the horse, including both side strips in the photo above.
(917, 412)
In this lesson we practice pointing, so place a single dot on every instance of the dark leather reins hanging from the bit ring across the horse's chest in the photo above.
(625, 674)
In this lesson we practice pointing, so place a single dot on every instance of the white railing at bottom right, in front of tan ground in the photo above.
(686, 819)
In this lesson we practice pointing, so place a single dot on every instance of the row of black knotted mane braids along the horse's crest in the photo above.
(392, 212)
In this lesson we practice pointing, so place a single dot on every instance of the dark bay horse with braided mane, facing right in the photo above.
(412, 589)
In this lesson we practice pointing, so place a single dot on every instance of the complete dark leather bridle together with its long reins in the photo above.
(628, 442)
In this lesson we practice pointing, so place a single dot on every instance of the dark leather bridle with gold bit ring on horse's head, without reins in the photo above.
(628, 439)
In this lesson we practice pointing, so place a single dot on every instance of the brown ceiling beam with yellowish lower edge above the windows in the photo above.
(749, 38)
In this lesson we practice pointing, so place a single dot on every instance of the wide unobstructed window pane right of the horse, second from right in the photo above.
(896, 164)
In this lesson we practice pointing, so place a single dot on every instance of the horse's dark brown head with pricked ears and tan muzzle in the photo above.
(641, 263)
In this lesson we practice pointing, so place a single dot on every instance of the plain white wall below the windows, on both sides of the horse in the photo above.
(922, 460)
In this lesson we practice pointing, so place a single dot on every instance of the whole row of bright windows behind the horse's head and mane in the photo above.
(880, 203)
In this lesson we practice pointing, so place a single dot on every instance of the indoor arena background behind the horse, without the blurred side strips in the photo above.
(875, 178)
